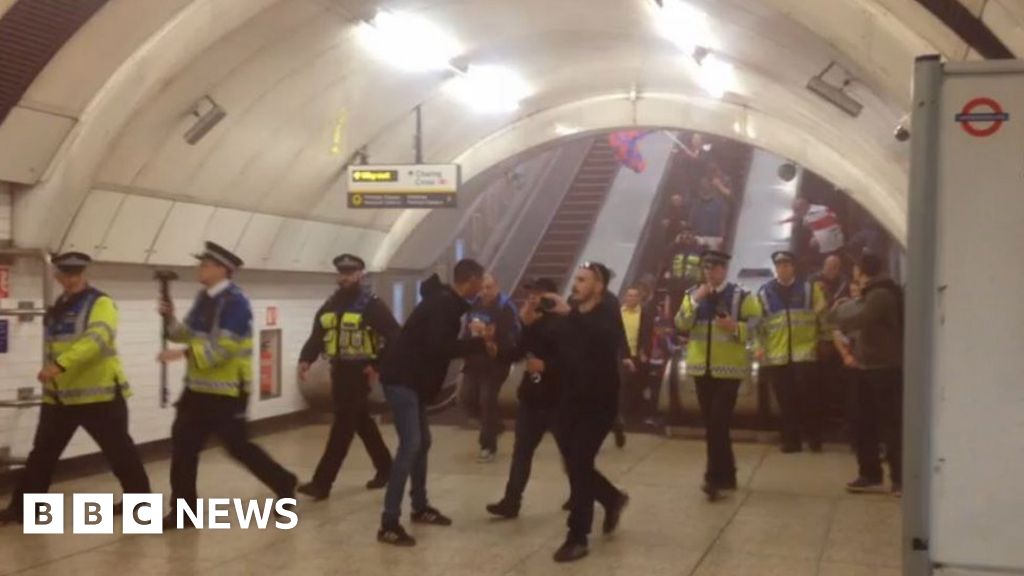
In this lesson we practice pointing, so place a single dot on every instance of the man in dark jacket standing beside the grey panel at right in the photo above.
(878, 319)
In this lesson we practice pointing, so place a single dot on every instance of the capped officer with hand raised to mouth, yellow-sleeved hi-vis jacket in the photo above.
(716, 315)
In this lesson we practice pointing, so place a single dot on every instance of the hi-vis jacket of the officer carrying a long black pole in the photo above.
(219, 335)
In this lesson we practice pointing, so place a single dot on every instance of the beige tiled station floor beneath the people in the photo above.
(790, 518)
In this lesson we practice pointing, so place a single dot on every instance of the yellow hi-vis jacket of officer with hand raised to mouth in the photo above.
(711, 349)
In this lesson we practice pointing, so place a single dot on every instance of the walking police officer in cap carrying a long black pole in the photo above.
(218, 335)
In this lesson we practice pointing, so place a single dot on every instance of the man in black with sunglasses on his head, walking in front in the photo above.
(591, 351)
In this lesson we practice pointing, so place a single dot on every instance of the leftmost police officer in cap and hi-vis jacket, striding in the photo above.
(83, 386)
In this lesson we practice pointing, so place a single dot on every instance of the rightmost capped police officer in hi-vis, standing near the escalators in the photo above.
(788, 351)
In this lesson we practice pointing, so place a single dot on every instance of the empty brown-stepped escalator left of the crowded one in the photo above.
(566, 237)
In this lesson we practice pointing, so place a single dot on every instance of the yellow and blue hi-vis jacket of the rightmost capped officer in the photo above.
(791, 328)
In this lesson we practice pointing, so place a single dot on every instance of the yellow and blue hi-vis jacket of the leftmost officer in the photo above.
(81, 334)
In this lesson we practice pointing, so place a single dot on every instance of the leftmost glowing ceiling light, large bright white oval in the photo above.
(409, 42)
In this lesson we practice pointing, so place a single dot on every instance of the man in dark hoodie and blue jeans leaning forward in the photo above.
(413, 373)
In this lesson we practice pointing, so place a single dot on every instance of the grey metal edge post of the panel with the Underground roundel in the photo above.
(920, 316)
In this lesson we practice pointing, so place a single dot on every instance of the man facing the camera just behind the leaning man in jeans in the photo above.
(483, 376)
